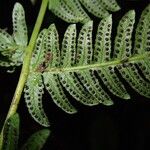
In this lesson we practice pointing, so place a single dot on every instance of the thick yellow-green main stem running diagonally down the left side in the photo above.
(26, 64)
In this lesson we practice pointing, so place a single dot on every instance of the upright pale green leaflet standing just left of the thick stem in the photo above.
(20, 34)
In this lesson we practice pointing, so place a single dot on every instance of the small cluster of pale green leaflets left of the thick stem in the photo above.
(13, 46)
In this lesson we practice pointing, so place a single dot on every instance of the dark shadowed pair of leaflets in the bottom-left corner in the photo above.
(11, 136)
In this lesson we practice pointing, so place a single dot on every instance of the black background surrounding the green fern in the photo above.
(123, 126)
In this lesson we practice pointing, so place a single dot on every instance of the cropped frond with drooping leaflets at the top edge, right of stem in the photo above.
(72, 11)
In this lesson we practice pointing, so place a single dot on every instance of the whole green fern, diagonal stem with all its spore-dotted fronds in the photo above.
(75, 65)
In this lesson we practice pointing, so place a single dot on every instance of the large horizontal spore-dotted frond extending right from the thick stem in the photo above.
(77, 66)
